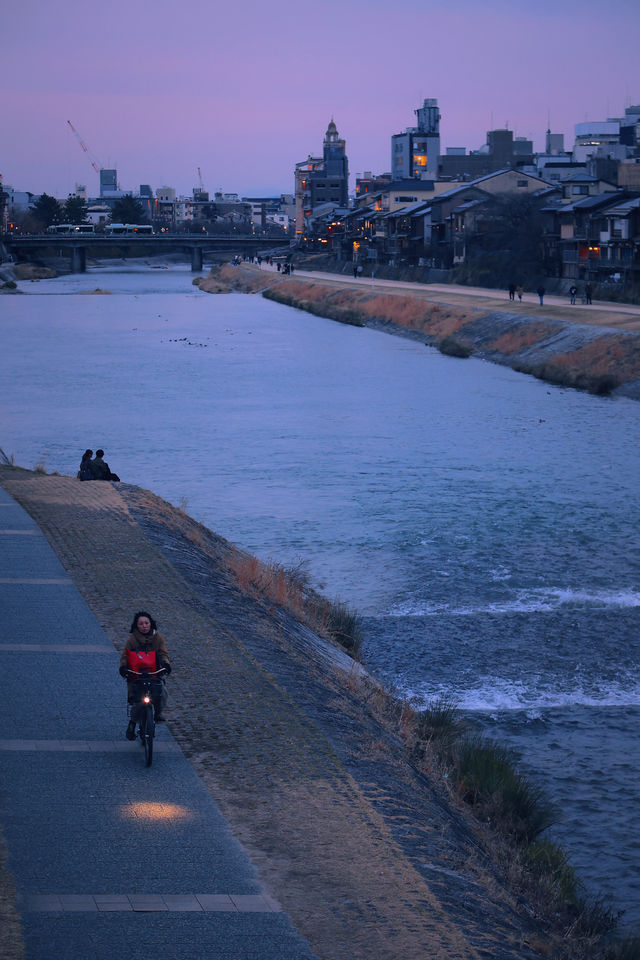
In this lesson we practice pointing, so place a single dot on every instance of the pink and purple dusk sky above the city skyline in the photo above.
(243, 90)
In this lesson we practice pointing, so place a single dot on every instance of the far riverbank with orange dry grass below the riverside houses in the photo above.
(594, 348)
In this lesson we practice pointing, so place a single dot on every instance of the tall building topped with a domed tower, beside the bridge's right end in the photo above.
(322, 179)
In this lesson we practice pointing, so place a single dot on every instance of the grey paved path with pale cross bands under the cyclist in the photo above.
(110, 859)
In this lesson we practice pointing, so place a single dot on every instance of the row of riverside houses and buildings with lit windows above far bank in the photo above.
(584, 205)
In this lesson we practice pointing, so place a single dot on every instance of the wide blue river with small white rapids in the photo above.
(484, 523)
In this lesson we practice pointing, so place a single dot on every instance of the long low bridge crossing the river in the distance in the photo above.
(77, 248)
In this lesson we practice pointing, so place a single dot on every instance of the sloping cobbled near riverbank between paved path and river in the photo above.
(366, 847)
